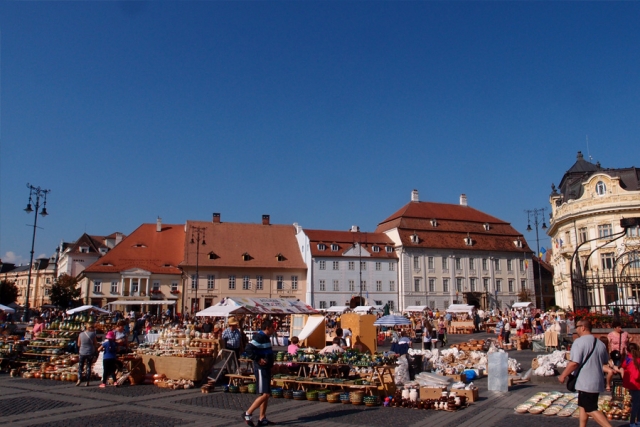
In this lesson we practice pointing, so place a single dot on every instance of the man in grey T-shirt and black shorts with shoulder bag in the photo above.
(590, 382)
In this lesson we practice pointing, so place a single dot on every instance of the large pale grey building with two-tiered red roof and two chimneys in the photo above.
(451, 254)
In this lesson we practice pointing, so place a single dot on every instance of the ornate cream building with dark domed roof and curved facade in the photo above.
(594, 235)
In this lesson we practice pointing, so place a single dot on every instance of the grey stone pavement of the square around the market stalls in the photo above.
(35, 402)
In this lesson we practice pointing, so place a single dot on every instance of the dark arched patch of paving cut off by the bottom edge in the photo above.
(118, 419)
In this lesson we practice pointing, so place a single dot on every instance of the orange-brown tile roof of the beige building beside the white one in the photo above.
(229, 241)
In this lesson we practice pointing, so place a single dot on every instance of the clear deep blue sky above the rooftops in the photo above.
(323, 113)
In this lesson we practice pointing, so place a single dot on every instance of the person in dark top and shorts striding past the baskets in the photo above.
(260, 351)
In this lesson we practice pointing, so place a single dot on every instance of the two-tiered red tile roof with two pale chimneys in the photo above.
(453, 224)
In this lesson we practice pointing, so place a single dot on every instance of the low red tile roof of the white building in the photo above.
(346, 240)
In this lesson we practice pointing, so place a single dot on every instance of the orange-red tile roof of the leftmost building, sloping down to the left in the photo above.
(157, 252)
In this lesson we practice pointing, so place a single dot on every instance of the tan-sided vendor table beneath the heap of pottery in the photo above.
(188, 368)
